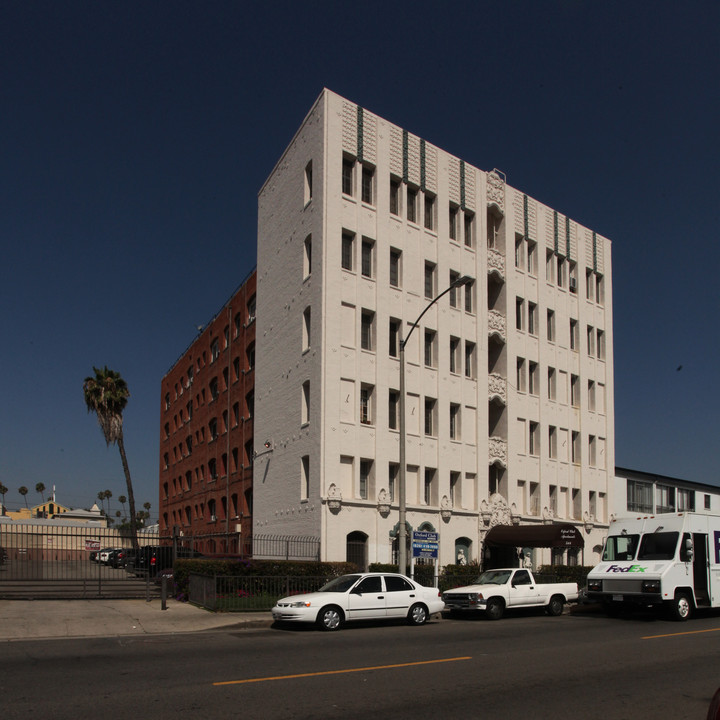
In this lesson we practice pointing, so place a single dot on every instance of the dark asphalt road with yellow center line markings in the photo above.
(574, 666)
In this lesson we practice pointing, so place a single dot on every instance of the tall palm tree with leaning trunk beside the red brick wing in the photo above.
(106, 394)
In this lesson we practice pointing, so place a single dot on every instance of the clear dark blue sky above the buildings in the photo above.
(134, 137)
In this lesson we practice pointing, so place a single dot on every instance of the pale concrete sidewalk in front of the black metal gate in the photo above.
(36, 619)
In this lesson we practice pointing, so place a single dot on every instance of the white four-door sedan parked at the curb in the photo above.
(361, 596)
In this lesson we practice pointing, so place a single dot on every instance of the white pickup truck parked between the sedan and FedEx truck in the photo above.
(508, 588)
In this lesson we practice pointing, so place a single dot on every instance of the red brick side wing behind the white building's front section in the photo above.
(206, 430)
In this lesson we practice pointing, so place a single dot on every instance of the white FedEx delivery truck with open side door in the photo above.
(669, 559)
